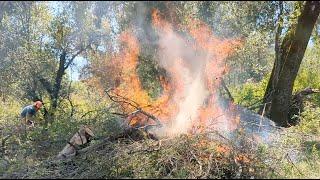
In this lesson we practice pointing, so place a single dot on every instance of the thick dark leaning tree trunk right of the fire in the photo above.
(293, 48)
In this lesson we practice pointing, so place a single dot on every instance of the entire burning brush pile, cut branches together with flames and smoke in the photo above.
(188, 131)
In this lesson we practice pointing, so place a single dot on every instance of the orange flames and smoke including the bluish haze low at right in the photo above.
(189, 104)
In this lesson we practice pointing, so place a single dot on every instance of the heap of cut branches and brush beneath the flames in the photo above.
(186, 156)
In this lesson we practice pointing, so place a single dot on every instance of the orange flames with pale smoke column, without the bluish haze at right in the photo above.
(194, 63)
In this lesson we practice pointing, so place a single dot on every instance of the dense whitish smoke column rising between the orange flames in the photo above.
(176, 56)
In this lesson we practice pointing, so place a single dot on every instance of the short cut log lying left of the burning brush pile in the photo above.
(80, 138)
